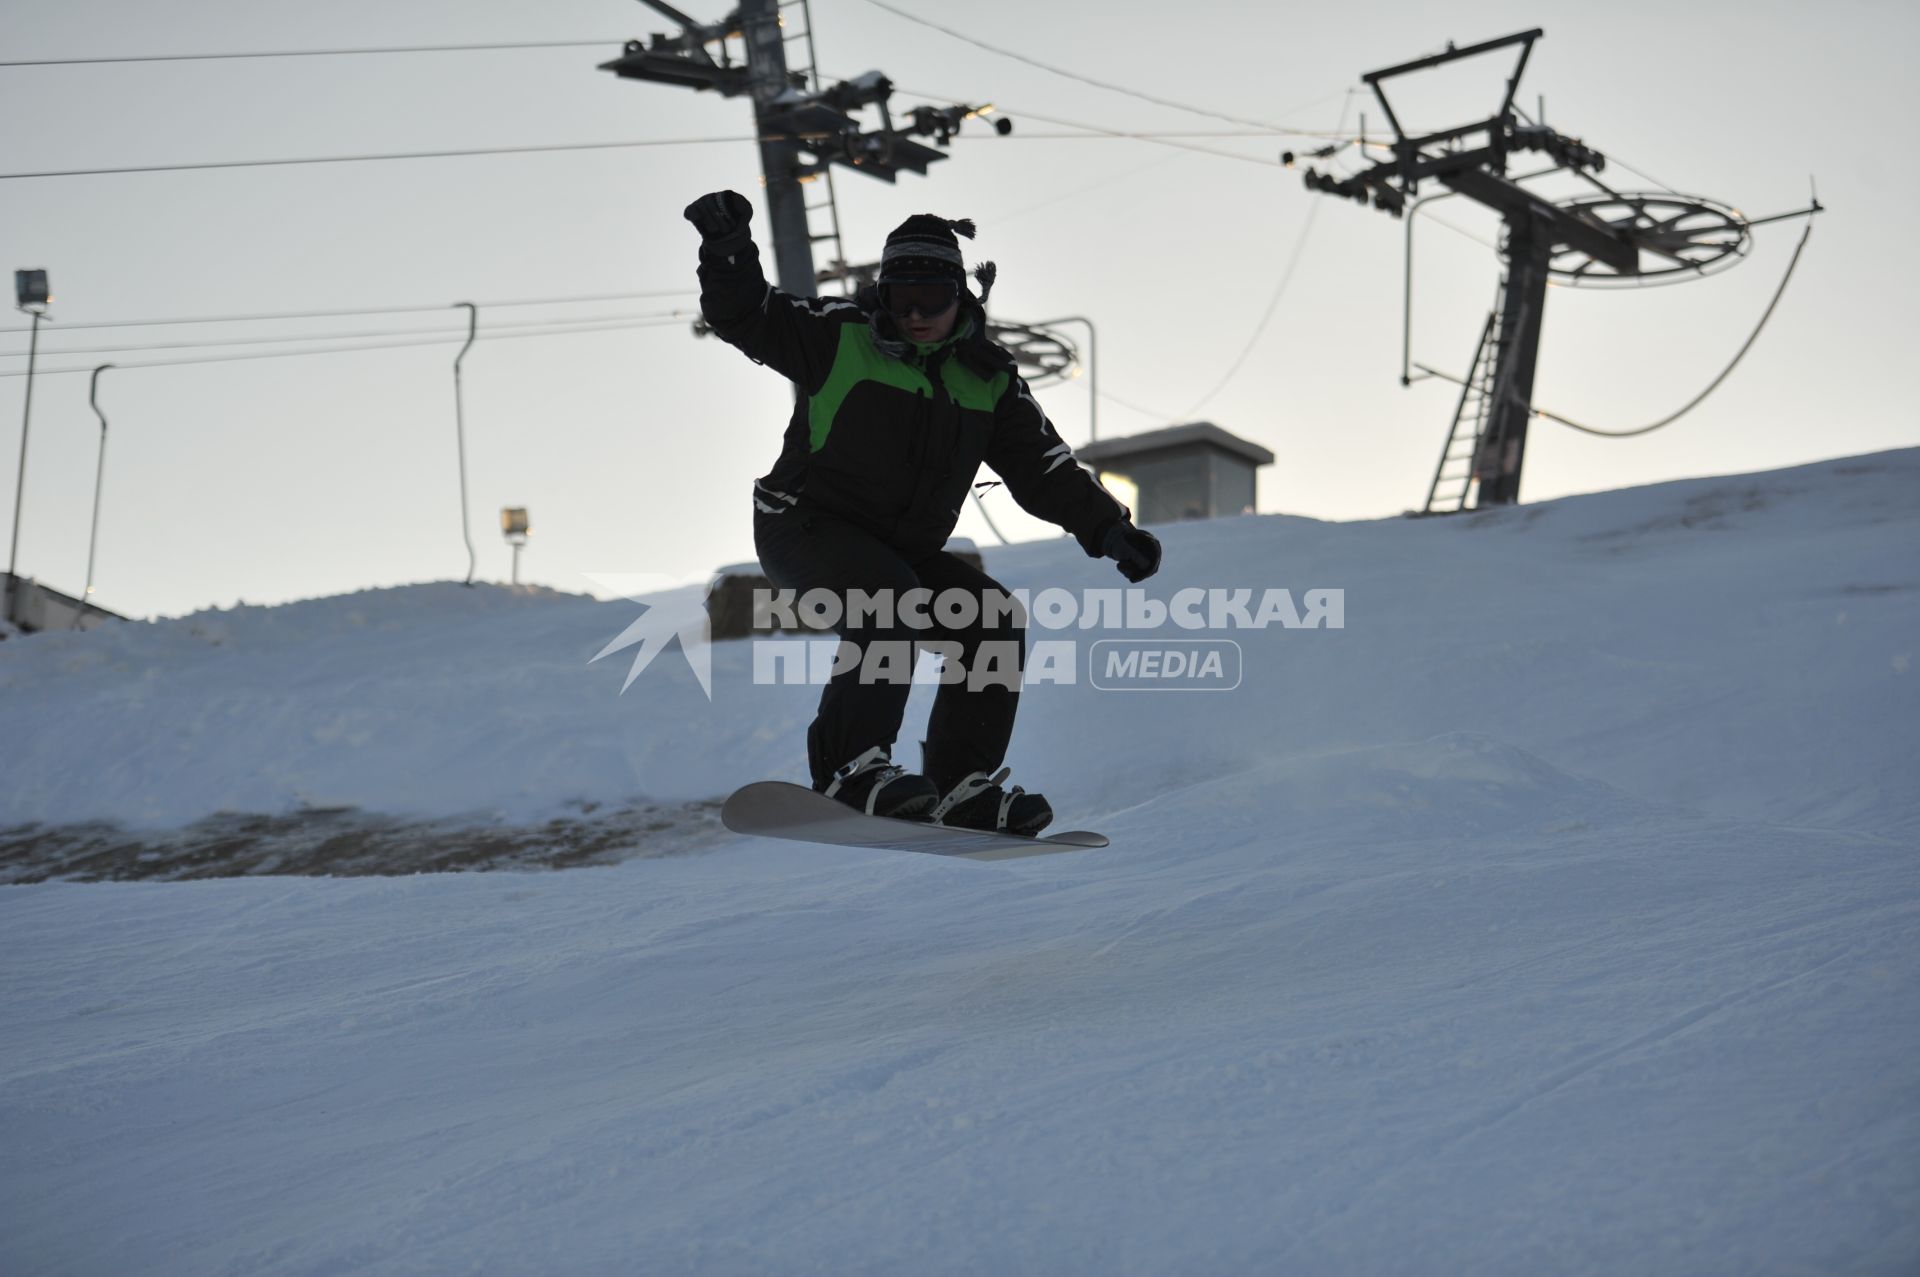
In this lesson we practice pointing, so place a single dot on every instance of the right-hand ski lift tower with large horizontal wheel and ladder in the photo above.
(1606, 237)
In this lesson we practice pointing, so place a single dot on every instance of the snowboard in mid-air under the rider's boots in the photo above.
(796, 813)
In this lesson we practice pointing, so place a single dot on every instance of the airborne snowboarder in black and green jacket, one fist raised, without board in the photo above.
(901, 398)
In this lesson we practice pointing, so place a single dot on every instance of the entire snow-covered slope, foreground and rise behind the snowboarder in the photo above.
(1560, 915)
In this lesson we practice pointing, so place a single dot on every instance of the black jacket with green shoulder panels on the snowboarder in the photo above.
(890, 435)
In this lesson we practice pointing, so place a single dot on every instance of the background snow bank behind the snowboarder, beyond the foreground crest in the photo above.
(1625, 637)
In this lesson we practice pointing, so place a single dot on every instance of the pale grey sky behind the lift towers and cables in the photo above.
(635, 450)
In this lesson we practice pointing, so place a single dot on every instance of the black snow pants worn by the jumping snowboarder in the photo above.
(972, 717)
